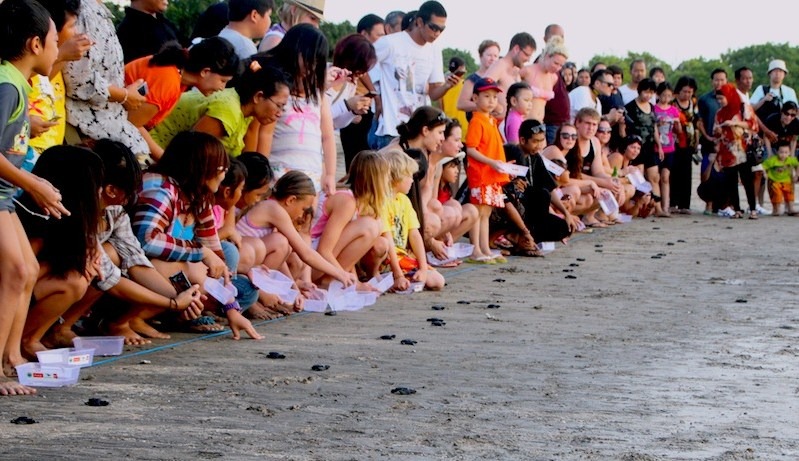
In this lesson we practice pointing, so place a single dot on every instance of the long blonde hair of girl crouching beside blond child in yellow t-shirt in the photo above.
(369, 181)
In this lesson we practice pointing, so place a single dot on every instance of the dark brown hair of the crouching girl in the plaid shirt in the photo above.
(191, 159)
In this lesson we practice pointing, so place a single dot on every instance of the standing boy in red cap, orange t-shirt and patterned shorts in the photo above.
(484, 171)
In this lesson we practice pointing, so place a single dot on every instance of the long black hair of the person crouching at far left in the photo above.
(68, 242)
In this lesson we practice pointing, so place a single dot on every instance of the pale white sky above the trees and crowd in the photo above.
(713, 29)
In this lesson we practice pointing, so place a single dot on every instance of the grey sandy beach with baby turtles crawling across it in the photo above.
(690, 356)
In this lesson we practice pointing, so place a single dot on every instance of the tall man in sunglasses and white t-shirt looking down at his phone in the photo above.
(410, 70)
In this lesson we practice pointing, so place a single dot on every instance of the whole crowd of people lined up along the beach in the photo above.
(137, 165)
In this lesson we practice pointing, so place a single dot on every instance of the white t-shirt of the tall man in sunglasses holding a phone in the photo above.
(404, 69)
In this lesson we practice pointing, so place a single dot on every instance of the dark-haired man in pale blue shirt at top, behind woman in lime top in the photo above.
(249, 19)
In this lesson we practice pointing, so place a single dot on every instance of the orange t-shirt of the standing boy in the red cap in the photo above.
(483, 135)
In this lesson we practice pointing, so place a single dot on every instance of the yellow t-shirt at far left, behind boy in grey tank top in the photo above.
(47, 100)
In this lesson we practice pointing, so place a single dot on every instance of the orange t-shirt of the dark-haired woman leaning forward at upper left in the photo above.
(163, 86)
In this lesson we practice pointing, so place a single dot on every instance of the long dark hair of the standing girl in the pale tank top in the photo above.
(303, 44)
